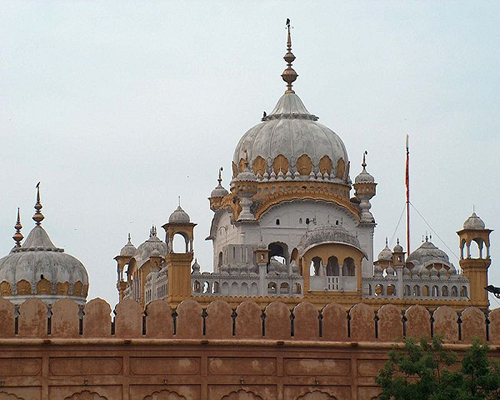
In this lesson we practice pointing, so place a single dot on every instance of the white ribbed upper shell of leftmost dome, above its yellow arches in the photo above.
(39, 259)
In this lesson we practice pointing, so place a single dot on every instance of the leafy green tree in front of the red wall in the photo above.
(426, 371)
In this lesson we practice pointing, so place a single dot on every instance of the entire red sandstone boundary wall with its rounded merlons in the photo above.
(70, 352)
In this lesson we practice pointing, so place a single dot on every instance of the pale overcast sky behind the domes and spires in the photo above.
(120, 107)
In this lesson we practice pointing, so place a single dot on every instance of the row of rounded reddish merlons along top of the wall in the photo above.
(218, 321)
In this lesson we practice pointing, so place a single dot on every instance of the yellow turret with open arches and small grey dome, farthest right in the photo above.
(475, 267)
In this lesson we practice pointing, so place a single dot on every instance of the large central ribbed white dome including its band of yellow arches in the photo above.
(291, 140)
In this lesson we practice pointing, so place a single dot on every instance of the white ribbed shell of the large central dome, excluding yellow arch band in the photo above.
(291, 131)
